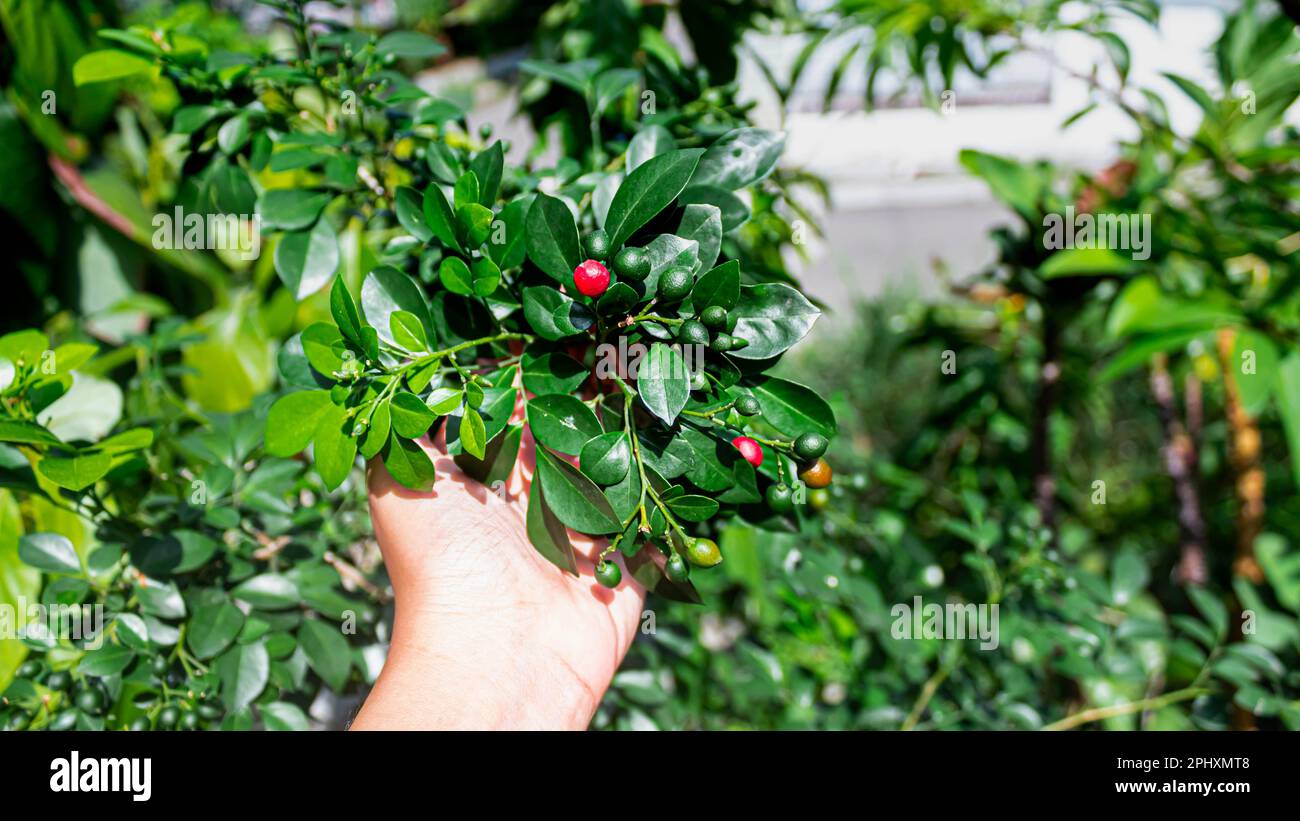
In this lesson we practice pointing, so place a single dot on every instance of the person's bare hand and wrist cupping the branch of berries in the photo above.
(488, 635)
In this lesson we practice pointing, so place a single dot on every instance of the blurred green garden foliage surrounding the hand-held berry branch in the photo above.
(1171, 601)
